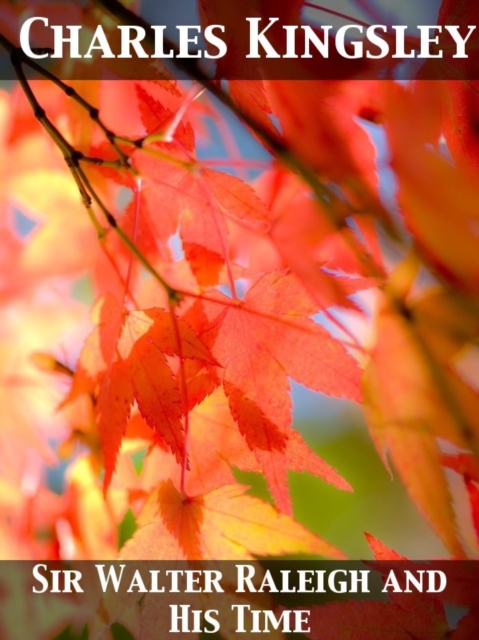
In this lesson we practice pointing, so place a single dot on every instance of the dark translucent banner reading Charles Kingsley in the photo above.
(101, 39)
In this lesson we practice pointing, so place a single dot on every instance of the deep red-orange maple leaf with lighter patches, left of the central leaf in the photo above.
(124, 359)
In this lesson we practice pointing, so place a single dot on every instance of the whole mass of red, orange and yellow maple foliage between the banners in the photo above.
(193, 363)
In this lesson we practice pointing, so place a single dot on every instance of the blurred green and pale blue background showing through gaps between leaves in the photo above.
(334, 429)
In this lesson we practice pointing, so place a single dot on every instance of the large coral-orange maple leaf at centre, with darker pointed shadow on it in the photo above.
(265, 338)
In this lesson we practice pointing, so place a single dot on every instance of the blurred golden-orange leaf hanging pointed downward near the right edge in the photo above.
(406, 412)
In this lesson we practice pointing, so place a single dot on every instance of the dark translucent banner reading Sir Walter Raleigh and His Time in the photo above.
(317, 600)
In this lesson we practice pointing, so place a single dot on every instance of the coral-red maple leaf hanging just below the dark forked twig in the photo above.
(202, 201)
